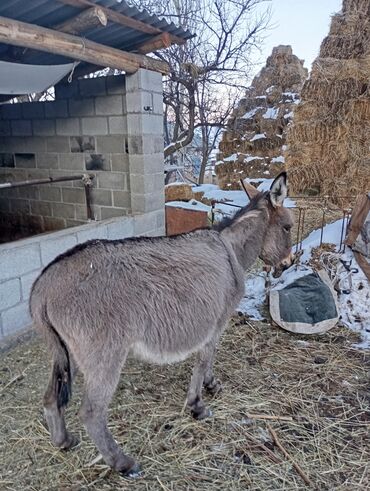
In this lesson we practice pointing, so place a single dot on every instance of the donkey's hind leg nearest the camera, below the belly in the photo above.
(101, 380)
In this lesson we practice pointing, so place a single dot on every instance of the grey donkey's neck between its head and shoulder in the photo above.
(245, 236)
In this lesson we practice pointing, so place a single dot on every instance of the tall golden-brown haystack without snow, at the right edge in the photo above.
(328, 142)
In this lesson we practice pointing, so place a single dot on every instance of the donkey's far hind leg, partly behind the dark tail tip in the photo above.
(54, 407)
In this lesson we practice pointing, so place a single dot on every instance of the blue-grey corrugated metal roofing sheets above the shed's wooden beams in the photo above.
(49, 13)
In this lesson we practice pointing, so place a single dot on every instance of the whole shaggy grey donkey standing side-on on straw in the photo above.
(159, 299)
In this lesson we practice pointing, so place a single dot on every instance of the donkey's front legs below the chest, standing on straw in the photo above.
(202, 374)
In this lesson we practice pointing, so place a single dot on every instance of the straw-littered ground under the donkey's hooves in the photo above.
(293, 408)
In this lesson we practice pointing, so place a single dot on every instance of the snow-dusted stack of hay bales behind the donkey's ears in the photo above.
(253, 144)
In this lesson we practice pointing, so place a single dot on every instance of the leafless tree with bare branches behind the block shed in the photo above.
(209, 72)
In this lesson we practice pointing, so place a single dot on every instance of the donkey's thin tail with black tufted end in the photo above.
(60, 385)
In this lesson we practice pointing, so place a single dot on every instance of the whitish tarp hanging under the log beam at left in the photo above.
(17, 78)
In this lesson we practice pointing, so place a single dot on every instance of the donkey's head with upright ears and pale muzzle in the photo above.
(276, 247)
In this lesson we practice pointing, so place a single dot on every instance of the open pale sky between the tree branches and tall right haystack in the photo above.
(301, 23)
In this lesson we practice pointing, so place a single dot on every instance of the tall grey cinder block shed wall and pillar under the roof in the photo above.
(111, 127)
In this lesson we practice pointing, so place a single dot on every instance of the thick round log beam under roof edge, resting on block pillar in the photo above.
(40, 38)
